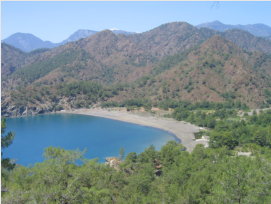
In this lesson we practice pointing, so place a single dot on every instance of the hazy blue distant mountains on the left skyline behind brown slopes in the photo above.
(28, 42)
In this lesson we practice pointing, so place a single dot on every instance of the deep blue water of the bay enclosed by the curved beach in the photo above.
(102, 137)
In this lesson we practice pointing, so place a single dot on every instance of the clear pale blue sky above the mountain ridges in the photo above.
(55, 21)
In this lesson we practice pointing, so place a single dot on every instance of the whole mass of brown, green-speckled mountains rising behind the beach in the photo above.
(175, 60)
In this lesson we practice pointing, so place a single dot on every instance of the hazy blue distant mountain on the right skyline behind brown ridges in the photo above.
(258, 29)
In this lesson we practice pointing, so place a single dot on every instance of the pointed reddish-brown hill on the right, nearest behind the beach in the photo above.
(216, 70)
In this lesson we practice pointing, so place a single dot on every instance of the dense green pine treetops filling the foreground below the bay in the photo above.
(204, 176)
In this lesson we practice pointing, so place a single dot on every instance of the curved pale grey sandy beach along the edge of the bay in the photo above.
(182, 130)
